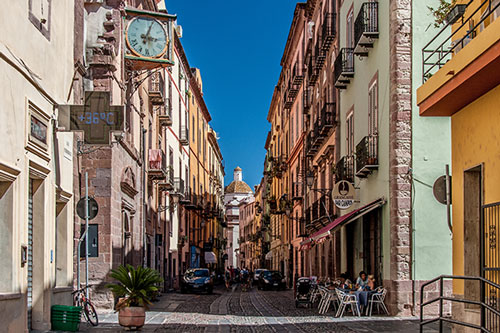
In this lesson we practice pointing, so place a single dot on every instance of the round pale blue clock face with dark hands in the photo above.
(146, 37)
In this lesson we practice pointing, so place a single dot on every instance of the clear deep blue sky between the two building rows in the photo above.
(238, 47)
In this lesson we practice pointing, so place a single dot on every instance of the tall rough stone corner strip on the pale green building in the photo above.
(400, 155)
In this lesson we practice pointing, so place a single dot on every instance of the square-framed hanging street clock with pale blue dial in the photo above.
(148, 39)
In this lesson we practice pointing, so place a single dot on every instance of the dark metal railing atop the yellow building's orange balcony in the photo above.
(435, 57)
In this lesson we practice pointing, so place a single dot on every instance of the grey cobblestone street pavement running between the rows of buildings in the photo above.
(253, 311)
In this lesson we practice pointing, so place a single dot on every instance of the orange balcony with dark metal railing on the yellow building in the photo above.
(461, 55)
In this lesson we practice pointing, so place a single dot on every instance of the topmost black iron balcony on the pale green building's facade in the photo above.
(366, 28)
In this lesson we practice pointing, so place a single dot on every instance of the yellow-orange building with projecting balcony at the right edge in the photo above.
(464, 84)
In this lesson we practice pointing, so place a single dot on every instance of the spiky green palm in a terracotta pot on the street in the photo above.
(135, 287)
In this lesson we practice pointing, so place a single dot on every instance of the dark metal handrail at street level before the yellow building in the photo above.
(487, 309)
